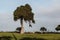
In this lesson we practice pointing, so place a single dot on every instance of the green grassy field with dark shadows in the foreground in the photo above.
(17, 36)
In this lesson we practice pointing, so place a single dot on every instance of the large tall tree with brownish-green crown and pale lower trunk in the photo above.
(24, 13)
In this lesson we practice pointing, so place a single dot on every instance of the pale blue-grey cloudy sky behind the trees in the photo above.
(47, 14)
